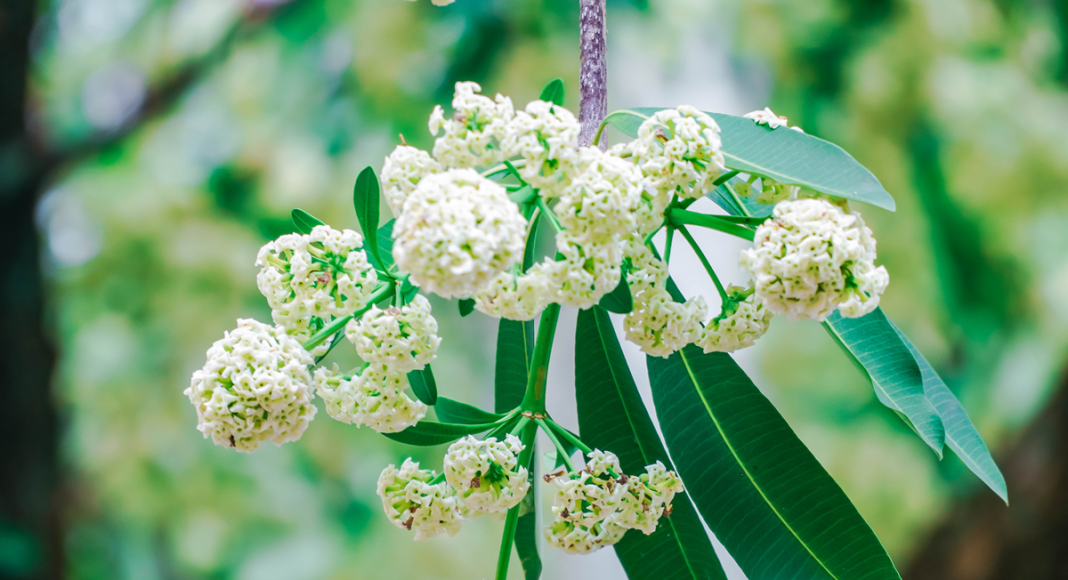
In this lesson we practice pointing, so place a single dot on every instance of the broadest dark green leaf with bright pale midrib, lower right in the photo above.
(760, 490)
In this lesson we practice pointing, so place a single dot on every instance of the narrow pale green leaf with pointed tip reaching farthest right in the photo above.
(961, 434)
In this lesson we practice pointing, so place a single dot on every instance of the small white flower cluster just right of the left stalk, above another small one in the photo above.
(400, 339)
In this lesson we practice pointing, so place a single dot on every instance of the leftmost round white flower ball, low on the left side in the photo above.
(254, 388)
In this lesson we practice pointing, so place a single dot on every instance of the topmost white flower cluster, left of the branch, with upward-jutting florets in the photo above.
(473, 135)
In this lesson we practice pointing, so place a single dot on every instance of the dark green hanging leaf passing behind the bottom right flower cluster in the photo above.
(614, 417)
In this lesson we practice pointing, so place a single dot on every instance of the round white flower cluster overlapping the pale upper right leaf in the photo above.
(679, 151)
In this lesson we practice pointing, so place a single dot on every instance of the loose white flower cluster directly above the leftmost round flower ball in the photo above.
(308, 279)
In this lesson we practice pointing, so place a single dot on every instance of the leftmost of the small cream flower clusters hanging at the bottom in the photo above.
(413, 504)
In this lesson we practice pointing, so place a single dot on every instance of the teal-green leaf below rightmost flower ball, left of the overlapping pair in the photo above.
(874, 346)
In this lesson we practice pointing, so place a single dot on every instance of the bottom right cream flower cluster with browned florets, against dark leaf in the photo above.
(595, 507)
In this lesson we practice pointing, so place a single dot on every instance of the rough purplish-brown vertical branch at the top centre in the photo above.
(593, 73)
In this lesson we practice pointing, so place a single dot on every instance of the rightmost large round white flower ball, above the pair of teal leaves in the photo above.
(812, 258)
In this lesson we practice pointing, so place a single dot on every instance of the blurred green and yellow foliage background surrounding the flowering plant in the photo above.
(149, 148)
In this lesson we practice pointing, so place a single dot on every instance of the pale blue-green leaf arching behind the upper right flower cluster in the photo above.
(784, 155)
